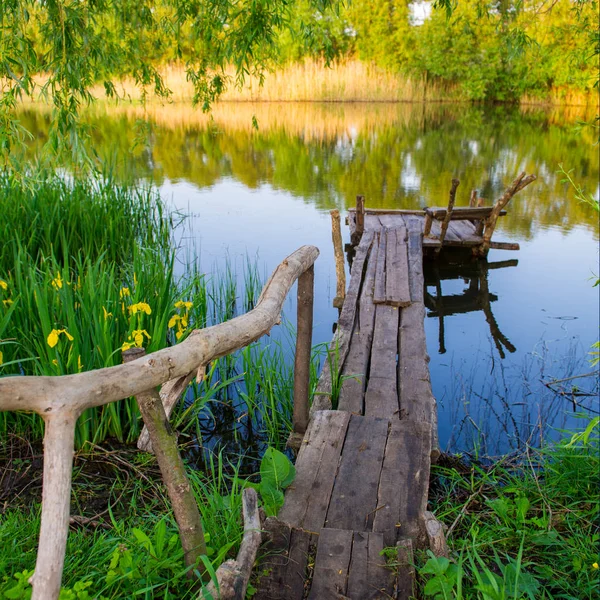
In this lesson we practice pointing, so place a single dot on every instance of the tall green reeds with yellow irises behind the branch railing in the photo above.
(75, 290)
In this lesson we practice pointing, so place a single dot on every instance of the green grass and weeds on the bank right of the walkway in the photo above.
(523, 527)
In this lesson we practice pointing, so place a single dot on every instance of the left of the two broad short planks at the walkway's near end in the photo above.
(331, 565)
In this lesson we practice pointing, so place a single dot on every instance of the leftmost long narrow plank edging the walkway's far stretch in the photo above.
(340, 344)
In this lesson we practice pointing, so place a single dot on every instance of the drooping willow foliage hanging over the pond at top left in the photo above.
(61, 48)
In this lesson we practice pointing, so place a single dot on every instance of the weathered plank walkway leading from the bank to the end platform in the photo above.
(363, 469)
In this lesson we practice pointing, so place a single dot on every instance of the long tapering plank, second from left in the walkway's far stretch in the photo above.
(356, 365)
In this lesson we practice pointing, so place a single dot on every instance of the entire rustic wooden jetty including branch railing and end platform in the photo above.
(365, 452)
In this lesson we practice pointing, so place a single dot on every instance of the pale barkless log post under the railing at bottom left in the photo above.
(59, 438)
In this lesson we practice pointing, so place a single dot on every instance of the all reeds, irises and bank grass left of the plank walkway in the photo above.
(87, 270)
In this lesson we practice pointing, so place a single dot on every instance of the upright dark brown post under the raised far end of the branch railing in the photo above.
(302, 363)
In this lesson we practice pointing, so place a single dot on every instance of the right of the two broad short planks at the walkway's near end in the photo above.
(368, 577)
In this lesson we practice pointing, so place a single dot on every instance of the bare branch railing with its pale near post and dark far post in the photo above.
(60, 400)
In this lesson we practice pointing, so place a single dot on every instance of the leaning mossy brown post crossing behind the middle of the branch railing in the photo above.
(164, 444)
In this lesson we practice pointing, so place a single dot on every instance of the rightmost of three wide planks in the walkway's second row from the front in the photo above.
(404, 483)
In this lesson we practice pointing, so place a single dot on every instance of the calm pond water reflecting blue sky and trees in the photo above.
(266, 192)
